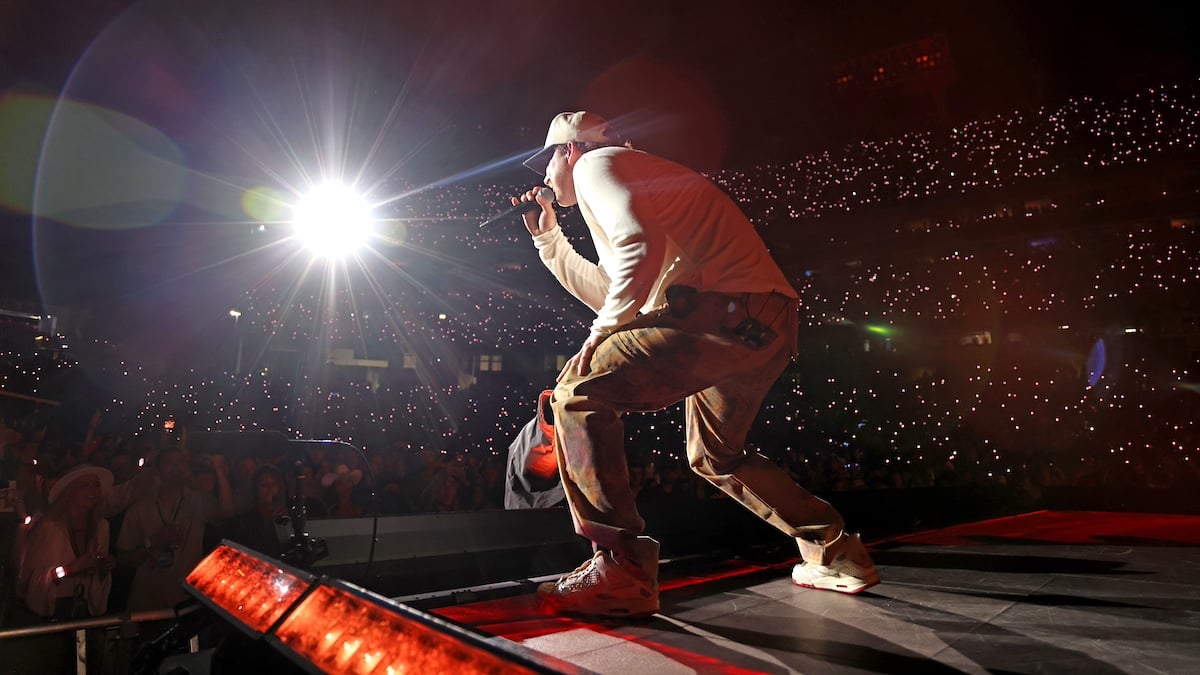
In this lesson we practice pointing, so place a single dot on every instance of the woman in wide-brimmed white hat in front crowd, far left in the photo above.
(65, 566)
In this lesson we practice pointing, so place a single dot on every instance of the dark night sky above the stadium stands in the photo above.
(214, 83)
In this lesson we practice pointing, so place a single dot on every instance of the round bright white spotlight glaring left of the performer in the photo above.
(333, 220)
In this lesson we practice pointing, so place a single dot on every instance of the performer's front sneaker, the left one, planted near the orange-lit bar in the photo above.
(602, 588)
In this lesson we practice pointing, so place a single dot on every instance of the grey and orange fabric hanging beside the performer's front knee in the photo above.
(532, 477)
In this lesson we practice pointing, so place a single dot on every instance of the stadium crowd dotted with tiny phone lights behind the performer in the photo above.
(973, 319)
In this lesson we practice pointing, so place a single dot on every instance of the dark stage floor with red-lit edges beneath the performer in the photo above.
(1043, 593)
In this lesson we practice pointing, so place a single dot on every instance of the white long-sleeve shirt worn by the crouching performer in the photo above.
(655, 224)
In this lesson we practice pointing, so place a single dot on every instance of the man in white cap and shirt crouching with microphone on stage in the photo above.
(689, 307)
